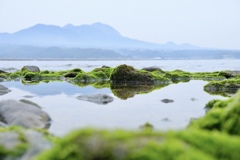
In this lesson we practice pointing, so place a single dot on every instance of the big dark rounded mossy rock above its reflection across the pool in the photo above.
(125, 74)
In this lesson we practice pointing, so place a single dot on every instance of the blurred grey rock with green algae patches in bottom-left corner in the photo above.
(21, 144)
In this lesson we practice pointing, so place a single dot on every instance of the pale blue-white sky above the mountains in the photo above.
(205, 23)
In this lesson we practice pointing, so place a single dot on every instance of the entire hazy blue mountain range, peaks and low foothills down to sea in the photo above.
(96, 41)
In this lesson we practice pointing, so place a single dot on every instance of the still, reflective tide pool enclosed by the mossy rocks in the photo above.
(59, 100)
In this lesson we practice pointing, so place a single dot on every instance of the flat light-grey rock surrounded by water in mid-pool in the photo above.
(98, 98)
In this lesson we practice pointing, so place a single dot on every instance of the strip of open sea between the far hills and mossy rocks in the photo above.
(186, 65)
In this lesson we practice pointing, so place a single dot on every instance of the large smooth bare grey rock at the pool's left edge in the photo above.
(23, 113)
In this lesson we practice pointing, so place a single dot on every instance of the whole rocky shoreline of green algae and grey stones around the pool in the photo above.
(23, 125)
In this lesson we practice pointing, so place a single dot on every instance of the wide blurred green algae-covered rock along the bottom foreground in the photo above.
(89, 144)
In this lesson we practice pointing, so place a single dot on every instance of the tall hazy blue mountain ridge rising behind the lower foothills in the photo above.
(97, 35)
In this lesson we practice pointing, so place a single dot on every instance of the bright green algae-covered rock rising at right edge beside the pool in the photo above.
(223, 117)
